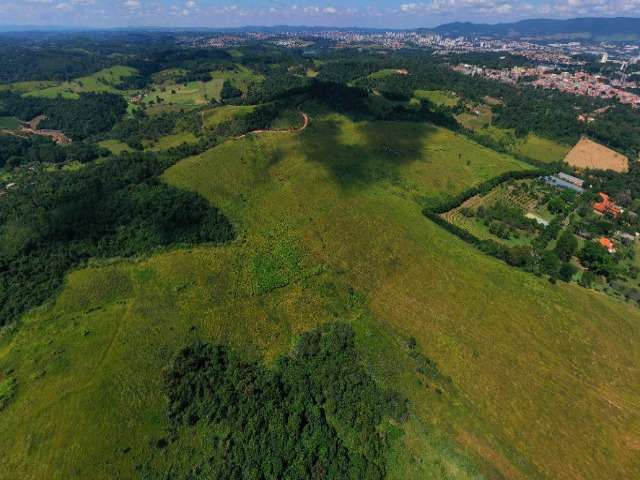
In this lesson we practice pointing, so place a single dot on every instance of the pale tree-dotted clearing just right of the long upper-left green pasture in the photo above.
(188, 95)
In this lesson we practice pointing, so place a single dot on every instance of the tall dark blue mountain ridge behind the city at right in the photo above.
(621, 29)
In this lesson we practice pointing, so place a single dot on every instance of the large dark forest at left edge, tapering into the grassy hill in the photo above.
(118, 207)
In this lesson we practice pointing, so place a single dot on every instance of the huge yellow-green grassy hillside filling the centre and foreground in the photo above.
(330, 226)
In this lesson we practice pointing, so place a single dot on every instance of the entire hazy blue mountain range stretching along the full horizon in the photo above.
(596, 29)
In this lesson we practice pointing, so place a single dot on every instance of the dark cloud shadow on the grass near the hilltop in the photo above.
(365, 152)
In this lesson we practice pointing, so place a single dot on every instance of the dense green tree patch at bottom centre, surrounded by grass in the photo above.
(315, 414)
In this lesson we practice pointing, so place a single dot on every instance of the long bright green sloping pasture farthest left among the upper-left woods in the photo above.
(103, 81)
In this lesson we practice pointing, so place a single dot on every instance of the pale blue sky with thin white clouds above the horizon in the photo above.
(222, 13)
